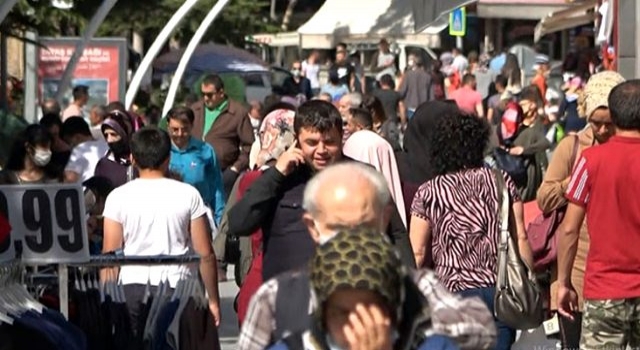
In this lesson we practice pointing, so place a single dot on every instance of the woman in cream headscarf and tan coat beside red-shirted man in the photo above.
(556, 179)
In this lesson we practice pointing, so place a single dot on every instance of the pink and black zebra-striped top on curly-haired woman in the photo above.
(462, 210)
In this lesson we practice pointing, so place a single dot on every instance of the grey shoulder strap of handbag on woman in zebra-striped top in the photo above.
(503, 212)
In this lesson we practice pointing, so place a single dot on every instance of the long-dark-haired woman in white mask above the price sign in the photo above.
(30, 158)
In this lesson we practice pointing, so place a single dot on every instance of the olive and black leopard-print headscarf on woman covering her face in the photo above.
(360, 259)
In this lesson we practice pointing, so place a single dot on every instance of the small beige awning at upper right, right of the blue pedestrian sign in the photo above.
(575, 16)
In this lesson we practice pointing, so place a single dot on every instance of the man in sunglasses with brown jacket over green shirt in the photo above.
(224, 124)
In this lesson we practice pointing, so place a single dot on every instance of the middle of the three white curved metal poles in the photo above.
(157, 45)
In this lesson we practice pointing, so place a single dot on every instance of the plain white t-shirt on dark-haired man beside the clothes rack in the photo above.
(156, 216)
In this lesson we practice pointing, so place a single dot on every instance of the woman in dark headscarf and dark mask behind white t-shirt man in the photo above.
(116, 165)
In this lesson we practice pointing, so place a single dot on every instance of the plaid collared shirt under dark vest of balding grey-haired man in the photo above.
(465, 320)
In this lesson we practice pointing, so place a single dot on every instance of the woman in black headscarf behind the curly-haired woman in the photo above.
(414, 162)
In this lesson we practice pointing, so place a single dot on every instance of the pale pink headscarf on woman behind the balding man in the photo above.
(368, 147)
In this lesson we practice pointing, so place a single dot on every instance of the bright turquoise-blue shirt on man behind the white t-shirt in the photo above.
(198, 166)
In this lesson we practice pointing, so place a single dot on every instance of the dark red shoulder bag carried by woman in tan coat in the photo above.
(541, 232)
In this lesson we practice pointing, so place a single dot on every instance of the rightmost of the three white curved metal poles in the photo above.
(186, 56)
